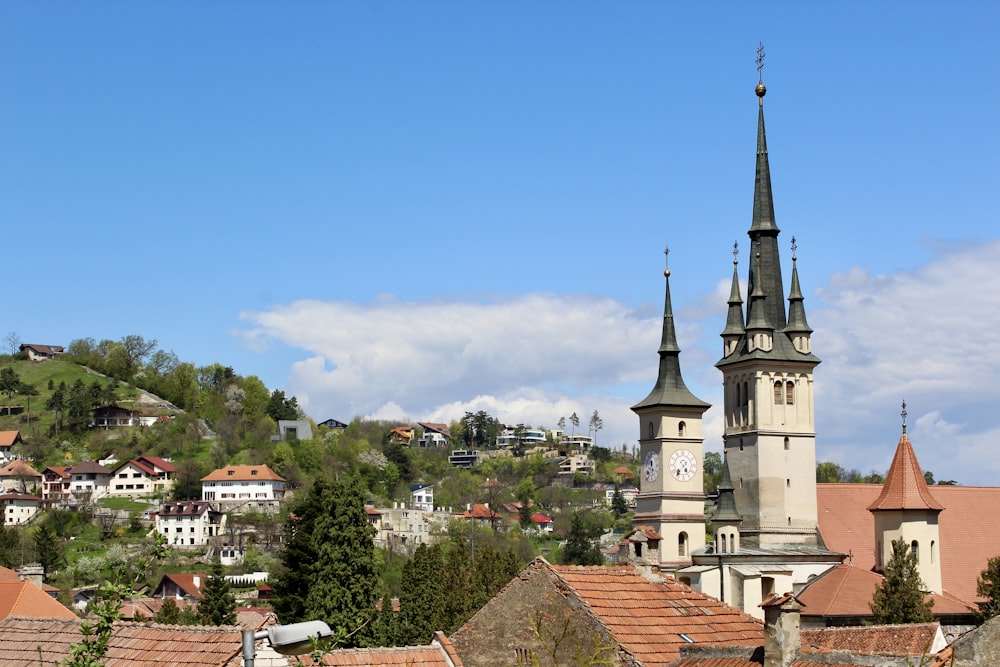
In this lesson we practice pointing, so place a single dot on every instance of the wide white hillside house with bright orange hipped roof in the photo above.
(243, 488)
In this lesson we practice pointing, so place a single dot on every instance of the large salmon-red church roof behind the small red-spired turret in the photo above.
(848, 527)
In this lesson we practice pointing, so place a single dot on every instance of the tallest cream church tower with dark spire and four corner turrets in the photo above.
(767, 367)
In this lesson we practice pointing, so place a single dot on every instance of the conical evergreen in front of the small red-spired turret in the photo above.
(900, 597)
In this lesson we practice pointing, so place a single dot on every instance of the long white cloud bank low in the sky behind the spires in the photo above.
(930, 336)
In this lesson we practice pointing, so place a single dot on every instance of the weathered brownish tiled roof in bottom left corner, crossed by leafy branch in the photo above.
(130, 644)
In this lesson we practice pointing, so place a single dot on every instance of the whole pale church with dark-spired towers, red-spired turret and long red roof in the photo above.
(775, 530)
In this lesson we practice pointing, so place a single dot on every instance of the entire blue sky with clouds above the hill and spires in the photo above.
(416, 209)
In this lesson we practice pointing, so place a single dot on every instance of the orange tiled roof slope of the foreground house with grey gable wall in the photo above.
(648, 618)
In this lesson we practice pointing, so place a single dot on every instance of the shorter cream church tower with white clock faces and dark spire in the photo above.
(672, 494)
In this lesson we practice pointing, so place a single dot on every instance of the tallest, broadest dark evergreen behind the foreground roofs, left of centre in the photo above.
(329, 562)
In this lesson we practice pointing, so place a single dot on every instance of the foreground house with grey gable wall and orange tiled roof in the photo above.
(623, 615)
